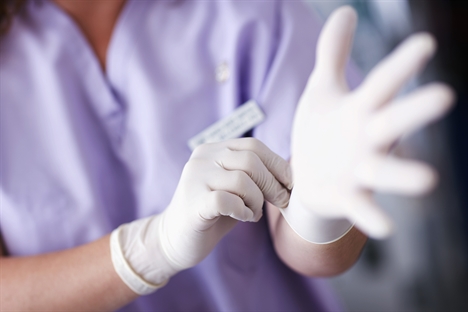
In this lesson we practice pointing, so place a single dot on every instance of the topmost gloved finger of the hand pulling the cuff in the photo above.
(274, 163)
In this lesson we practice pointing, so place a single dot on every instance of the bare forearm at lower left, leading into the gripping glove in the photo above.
(81, 278)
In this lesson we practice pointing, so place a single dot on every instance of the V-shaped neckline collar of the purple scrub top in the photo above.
(107, 88)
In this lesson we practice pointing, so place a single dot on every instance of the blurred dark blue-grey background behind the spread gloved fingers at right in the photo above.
(424, 265)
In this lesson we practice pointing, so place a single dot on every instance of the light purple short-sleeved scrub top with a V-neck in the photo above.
(84, 151)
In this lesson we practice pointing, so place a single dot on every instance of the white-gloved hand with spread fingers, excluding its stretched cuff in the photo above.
(340, 139)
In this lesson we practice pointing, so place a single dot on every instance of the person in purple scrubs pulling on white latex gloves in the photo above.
(103, 205)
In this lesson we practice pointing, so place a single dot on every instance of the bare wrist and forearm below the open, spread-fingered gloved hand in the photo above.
(313, 259)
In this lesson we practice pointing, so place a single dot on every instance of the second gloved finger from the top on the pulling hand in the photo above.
(250, 163)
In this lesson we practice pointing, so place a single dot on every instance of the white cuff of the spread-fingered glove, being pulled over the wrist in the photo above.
(312, 227)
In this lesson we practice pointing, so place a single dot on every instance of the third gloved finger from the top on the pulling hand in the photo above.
(239, 183)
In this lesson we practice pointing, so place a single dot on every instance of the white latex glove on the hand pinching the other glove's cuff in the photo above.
(221, 184)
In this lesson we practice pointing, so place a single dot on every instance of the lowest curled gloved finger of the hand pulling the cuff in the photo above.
(221, 203)
